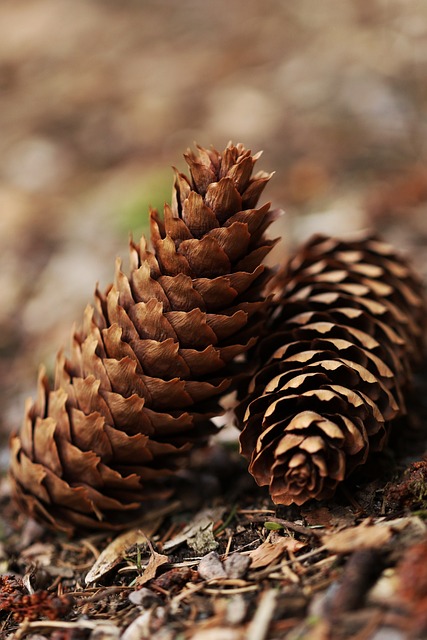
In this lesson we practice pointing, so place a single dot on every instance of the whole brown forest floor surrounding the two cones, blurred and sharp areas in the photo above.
(93, 110)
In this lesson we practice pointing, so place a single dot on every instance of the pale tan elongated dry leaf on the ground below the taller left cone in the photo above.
(116, 550)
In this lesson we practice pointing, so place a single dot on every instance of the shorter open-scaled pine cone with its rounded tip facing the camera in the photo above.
(346, 337)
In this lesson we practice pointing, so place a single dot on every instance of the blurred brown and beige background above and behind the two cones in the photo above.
(99, 98)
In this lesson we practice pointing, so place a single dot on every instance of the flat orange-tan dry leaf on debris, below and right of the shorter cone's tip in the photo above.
(362, 537)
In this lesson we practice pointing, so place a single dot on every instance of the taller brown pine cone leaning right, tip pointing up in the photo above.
(153, 355)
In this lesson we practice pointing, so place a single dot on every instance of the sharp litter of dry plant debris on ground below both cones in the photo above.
(323, 571)
